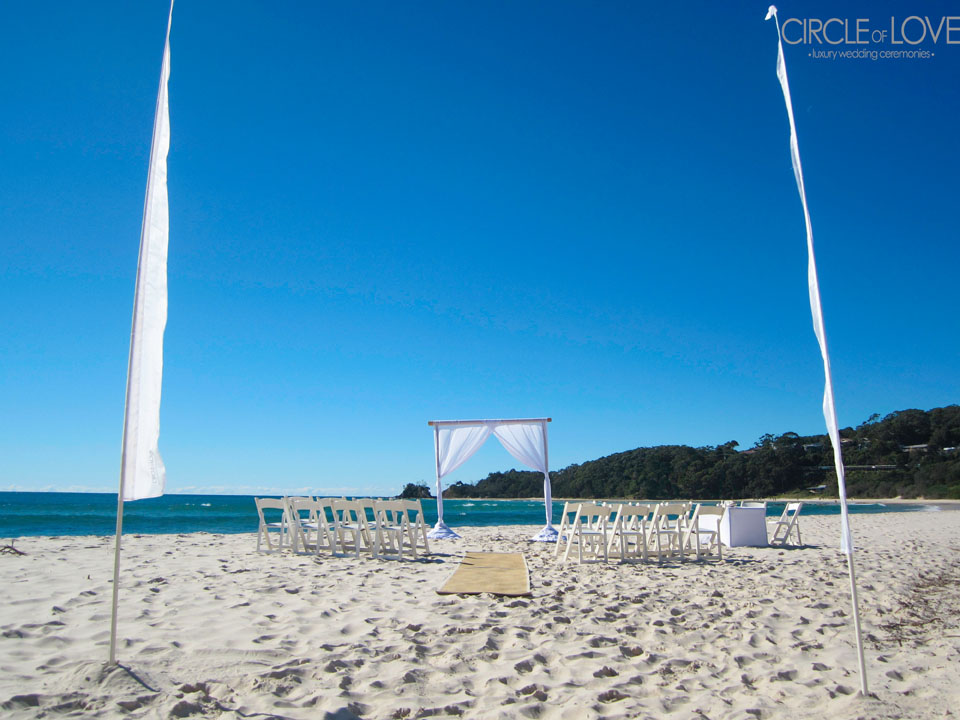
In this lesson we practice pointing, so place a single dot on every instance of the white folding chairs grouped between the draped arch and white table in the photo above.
(638, 531)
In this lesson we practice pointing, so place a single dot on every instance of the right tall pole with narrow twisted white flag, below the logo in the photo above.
(816, 310)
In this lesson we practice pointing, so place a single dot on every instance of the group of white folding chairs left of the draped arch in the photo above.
(379, 528)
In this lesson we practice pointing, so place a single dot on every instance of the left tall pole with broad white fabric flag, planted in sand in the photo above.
(141, 469)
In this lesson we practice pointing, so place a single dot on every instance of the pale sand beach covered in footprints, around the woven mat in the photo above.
(211, 628)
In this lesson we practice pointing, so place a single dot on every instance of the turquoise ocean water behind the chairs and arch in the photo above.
(45, 513)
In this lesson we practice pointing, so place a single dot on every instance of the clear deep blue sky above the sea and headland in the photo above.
(384, 213)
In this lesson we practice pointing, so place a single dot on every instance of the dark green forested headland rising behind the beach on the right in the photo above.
(908, 453)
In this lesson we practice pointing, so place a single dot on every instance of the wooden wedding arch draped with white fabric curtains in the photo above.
(455, 441)
